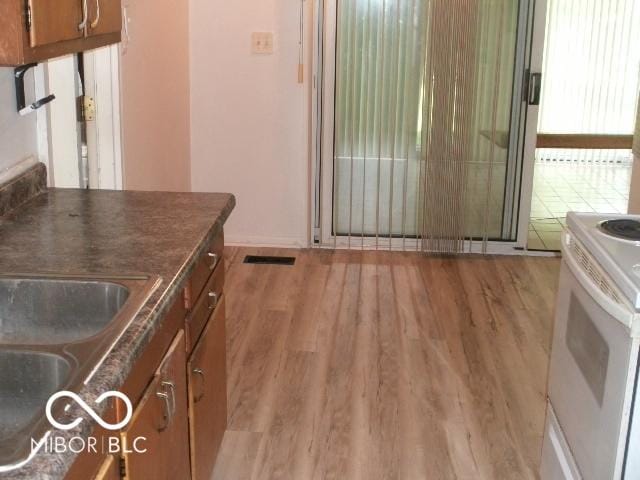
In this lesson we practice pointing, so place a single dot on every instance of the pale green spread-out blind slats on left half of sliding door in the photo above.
(379, 60)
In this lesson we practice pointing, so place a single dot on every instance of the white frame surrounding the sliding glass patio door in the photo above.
(519, 203)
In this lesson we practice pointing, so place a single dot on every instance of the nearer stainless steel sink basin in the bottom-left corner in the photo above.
(27, 380)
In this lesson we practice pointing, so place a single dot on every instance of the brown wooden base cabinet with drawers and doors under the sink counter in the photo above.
(178, 388)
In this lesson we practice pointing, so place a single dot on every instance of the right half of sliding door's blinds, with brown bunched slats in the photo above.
(470, 65)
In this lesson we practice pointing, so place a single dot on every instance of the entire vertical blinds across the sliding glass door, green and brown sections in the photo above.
(422, 120)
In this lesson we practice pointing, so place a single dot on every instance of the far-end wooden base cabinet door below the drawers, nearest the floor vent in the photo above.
(208, 395)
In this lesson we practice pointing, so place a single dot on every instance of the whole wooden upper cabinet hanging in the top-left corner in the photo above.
(36, 30)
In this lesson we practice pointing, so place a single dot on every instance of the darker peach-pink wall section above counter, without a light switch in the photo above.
(155, 95)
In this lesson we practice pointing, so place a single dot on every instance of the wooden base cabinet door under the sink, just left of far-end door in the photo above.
(161, 418)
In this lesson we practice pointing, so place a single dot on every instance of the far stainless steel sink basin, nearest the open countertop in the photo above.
(54, 311)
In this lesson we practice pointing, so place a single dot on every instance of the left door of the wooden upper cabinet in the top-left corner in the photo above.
(55, 21)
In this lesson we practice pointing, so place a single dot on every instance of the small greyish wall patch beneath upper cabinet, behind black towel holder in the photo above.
(18, 135)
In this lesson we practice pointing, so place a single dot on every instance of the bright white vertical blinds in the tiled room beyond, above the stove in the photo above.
(591, 73)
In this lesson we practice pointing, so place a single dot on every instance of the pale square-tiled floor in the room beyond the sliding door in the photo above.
(562, 187)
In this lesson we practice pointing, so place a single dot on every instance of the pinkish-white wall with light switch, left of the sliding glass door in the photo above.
(249, 117)
